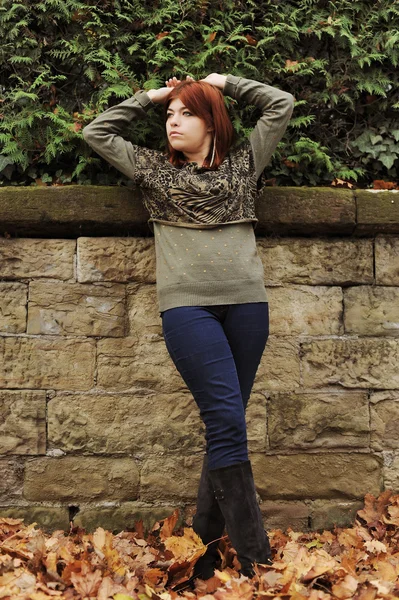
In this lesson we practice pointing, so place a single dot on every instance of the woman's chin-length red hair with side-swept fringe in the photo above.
(206, 102)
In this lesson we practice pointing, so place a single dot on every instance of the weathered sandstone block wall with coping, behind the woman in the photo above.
(97, 425)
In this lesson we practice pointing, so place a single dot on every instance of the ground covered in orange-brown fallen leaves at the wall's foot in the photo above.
(360, 562)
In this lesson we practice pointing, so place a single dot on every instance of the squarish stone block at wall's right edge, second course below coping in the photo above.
(372, 310)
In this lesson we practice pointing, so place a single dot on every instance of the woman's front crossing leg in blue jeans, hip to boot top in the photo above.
(198, 346)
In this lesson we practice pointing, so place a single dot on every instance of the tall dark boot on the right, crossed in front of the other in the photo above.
(235, 492)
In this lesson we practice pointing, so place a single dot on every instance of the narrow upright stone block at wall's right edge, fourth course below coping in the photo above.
(384, 416)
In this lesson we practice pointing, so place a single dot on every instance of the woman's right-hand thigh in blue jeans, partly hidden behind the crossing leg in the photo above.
(247, 329)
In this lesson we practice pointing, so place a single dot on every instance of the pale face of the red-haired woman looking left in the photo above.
(185, 131)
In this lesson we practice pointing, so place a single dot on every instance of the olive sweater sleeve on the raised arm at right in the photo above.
(276, 106)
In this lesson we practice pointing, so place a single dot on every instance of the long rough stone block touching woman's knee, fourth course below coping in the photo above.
(125, 423)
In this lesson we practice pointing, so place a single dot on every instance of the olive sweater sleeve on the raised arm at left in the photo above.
(105, 136)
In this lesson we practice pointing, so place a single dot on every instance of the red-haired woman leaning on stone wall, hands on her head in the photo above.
(212, 301)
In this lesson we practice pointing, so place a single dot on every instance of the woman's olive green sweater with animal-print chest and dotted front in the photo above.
(203, 221)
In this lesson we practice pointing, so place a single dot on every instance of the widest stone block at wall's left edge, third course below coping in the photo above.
(42, 362)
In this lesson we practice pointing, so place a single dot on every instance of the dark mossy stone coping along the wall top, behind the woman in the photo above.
(77, 210)
